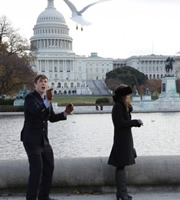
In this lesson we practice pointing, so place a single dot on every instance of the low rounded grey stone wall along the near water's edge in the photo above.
(94, 172)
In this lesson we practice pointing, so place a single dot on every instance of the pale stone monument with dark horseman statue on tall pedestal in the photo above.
(168, 100)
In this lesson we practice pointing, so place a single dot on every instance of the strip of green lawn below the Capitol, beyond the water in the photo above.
(77, 99)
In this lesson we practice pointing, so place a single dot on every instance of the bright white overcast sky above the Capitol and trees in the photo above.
(120, 28)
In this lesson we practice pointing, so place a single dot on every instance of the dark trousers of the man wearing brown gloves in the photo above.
(41, 163)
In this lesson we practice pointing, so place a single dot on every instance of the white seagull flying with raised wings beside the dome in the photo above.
(77, 15)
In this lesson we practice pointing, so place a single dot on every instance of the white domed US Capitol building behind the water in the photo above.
(74, 74)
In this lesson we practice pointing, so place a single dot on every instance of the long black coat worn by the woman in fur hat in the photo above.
(123, 152)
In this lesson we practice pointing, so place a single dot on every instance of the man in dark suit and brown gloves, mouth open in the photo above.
(34, 135)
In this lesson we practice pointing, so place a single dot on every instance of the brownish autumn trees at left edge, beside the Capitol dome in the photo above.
(16, 61)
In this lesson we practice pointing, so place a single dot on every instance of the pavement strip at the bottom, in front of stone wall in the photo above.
(108, 196)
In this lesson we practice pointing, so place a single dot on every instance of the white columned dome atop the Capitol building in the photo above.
(51, 34)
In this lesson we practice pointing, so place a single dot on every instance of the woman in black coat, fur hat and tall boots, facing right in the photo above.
(123, 152)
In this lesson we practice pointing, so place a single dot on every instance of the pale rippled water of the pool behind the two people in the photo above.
(91, 135)
